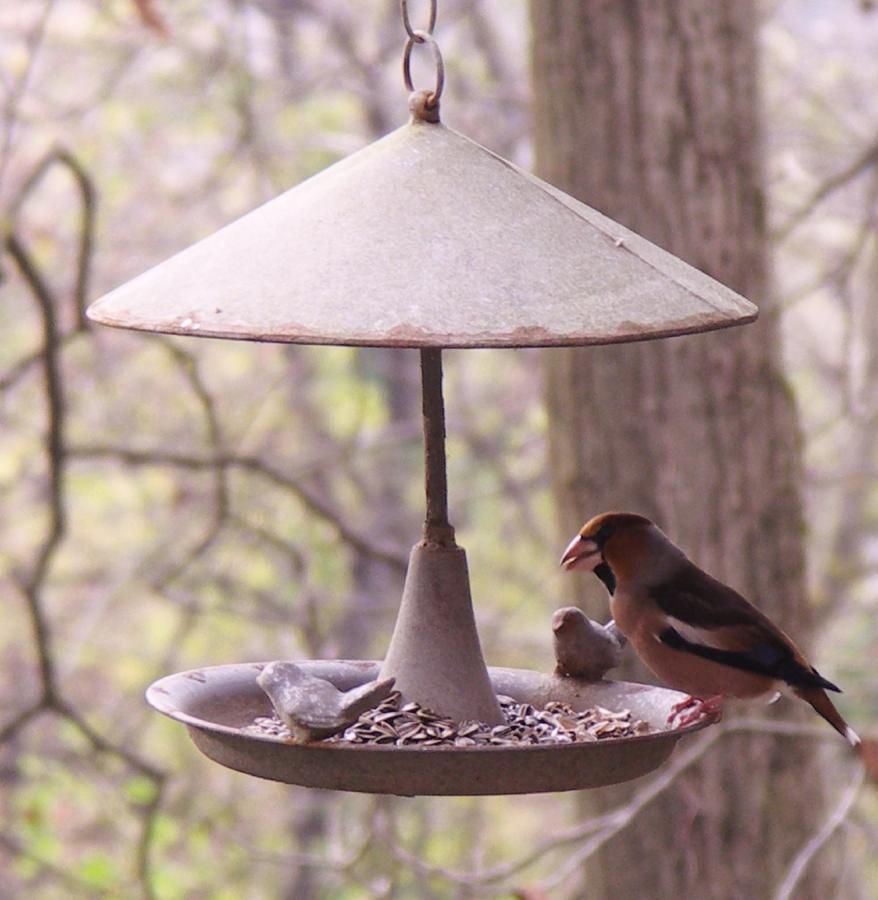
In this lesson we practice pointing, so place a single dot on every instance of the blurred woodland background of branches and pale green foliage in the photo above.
(168, 504)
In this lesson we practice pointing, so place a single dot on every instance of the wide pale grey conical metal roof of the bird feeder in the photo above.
(421, 239)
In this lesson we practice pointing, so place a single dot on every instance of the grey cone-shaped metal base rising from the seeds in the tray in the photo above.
(434, 654)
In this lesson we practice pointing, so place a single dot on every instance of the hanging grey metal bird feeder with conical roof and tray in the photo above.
(425, 240)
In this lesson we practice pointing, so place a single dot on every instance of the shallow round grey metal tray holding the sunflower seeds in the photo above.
(218, 703)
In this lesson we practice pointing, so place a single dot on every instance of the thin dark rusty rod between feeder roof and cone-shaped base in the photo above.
(437, 530)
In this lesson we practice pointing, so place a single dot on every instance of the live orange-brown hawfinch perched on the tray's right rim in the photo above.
(694, 632)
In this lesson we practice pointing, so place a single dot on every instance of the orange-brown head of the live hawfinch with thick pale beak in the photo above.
(630, 545)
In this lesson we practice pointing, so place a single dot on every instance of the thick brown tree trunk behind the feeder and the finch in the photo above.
(648, 110)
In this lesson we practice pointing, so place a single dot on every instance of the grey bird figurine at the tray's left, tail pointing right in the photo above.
(313, 708)
